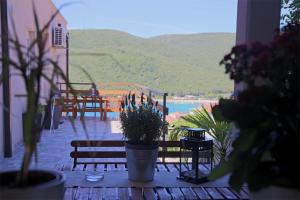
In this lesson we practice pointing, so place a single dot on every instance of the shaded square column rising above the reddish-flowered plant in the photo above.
(257, 20)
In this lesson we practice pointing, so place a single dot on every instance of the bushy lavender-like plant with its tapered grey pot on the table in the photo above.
(142, 128)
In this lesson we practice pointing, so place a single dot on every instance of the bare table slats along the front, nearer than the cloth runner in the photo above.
(153, 193)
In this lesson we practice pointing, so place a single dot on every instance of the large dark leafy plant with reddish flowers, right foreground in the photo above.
(266, 114)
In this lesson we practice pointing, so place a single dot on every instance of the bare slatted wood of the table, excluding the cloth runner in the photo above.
(174, 192)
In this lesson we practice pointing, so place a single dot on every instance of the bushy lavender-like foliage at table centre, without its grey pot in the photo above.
(141, 124)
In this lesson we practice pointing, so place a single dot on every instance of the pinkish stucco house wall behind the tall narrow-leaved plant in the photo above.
(21, 14)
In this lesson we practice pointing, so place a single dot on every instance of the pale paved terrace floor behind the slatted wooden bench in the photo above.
(54, 148)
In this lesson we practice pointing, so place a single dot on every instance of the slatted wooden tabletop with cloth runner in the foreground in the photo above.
(116, 185)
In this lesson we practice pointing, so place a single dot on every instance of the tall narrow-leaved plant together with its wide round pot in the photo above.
(34, 67)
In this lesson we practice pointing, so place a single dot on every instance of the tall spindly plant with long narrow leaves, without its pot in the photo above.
(34, 66)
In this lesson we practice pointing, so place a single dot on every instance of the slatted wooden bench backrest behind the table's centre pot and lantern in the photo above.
(169, 152)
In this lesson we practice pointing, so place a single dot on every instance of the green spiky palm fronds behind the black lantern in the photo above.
(217, 127)
